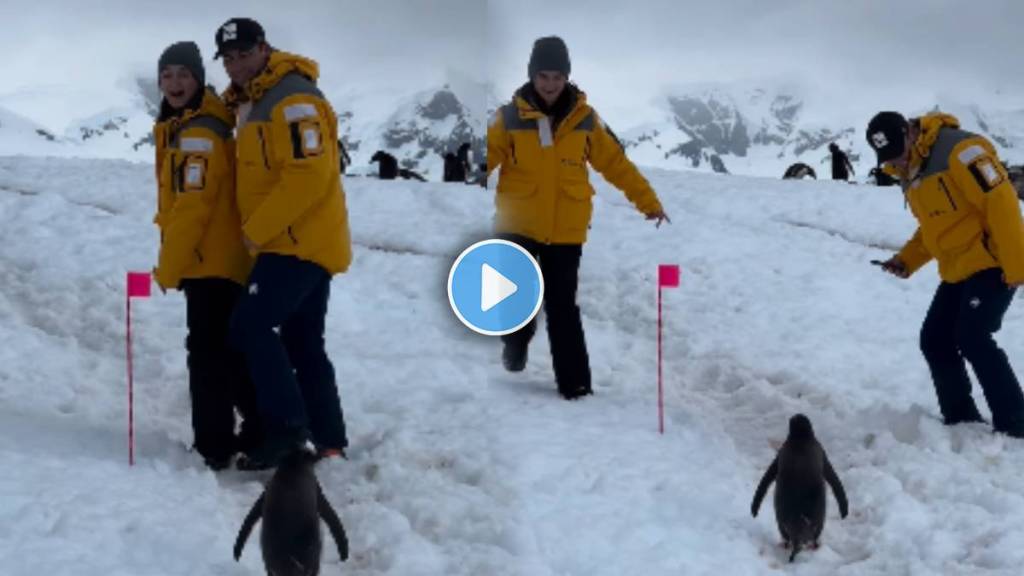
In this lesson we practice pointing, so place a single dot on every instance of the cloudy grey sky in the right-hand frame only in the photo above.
(626, 52)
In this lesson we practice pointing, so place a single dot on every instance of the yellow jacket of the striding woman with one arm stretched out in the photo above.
(544, 190)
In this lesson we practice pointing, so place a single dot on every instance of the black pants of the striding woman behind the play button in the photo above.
(561, 268)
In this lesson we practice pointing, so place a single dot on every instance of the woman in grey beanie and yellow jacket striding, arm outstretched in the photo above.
(543, 142)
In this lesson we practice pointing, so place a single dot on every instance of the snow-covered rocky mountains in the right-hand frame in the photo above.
(749, 130)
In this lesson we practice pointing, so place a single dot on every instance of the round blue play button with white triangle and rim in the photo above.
(496, 287)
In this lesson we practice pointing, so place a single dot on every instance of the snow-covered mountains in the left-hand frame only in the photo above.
(417, 128)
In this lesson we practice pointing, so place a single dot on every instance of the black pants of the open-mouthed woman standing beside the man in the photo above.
(219, 379)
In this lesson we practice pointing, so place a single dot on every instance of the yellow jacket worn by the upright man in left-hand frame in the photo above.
(289, 188)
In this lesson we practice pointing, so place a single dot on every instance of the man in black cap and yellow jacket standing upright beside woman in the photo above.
(295, 221)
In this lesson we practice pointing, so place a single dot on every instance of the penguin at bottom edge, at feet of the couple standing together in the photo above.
(291, 507)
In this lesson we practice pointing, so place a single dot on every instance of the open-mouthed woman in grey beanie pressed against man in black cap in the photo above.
(202, 252)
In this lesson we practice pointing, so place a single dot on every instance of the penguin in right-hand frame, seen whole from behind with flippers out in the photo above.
(800, 471)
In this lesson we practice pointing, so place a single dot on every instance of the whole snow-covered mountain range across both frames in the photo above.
(743, 129)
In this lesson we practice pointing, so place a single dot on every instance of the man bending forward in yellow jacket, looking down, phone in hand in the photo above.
(970, 222)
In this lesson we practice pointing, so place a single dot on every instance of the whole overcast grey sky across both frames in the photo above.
(624, 53)
